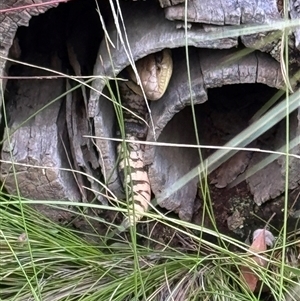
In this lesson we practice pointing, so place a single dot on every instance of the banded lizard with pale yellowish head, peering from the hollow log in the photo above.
(155, 71)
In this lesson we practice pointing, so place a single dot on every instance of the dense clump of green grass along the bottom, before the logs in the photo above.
(51, 262)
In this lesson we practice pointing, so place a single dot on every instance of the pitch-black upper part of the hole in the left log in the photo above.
(75, 22)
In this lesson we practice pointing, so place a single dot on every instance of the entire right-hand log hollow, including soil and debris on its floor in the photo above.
(225, 114)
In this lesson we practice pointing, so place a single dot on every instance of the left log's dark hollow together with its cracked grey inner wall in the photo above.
(64, 39)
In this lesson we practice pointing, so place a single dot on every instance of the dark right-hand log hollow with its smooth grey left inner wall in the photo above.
(226, 113)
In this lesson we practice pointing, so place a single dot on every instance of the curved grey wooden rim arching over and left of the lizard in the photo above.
(143, 40)
